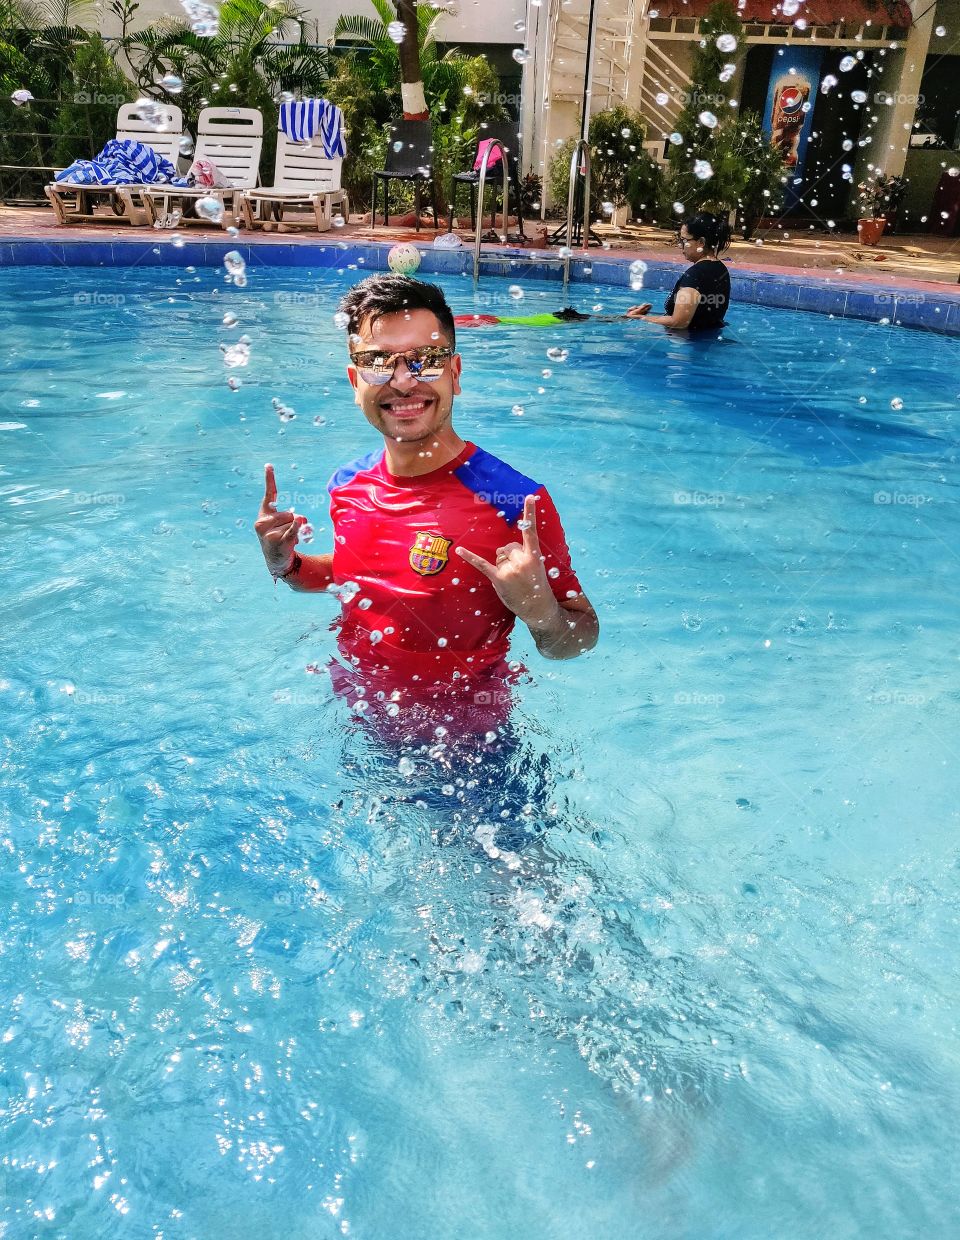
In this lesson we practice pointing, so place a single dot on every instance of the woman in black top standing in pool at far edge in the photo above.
(703, 293)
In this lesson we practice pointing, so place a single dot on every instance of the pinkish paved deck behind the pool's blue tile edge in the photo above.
(922, 263)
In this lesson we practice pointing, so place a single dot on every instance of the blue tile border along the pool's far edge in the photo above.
(922, 309)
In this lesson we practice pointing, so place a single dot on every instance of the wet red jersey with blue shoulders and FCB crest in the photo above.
(420, 609)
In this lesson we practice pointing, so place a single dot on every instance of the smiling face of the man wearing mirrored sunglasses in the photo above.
(406, 410)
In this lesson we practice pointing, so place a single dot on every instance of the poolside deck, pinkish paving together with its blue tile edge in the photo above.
(911, 281)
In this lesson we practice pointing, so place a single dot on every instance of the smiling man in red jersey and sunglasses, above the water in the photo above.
(440, 547)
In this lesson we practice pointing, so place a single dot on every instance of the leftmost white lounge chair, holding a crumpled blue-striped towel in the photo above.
(163, 131)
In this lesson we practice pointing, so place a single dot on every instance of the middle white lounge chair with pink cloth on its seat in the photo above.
(230, 138)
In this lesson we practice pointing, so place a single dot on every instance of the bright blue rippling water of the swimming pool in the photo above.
(254, 988)
